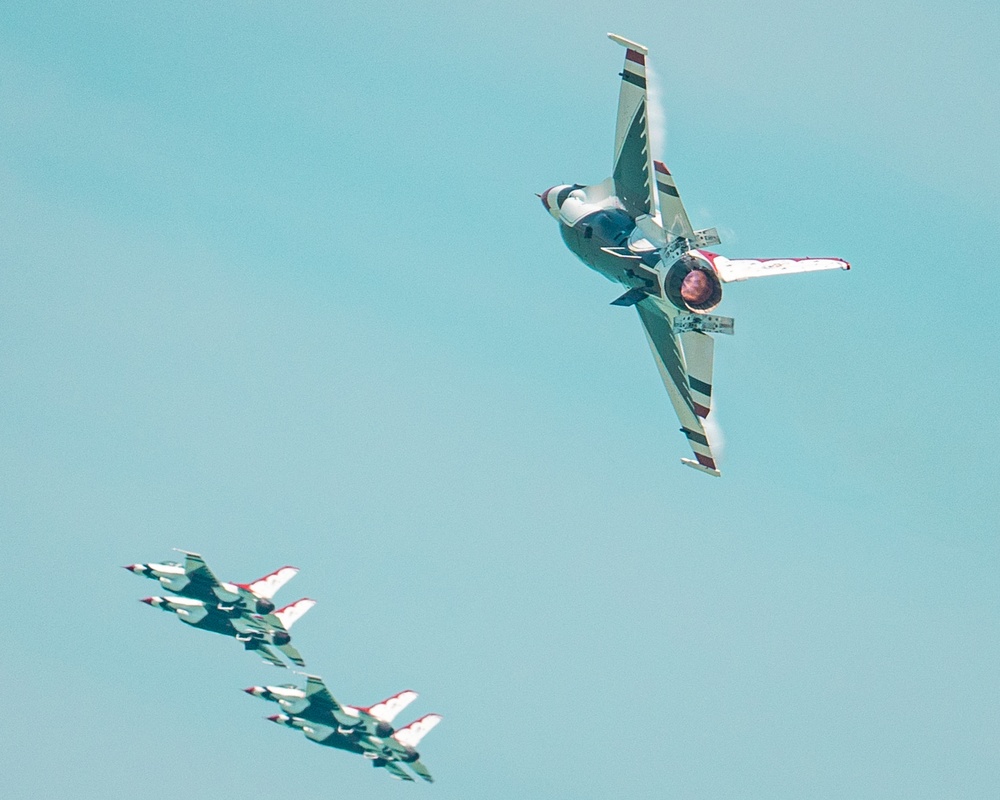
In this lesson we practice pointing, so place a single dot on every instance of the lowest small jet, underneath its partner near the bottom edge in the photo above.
(388, 752)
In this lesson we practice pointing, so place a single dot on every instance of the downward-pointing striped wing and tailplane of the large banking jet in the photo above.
(685, 364)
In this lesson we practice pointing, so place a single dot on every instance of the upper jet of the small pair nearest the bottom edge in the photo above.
(316, 704)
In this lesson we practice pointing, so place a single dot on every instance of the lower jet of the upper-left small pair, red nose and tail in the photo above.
(258, 632)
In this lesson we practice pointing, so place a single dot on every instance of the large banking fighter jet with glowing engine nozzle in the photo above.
(633, 229)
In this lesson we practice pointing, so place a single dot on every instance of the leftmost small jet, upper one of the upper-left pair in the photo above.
(195, 580)
